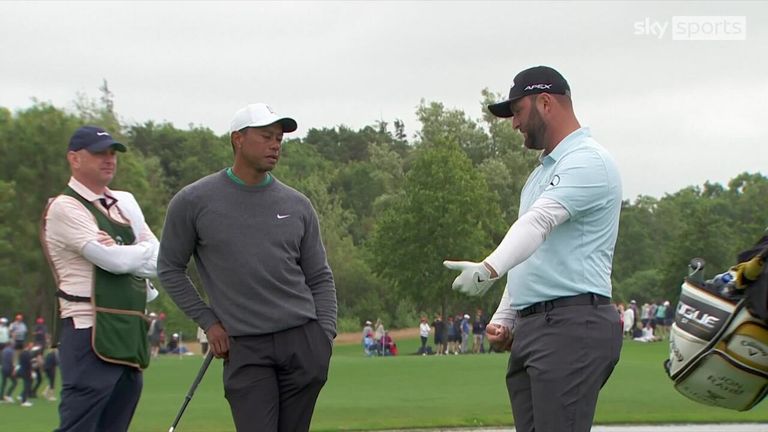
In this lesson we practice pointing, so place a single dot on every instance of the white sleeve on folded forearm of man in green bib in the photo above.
(134, 259)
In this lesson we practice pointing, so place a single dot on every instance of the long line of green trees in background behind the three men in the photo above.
(391, 207)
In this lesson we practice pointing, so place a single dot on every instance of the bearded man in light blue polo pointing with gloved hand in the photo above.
(558, 257)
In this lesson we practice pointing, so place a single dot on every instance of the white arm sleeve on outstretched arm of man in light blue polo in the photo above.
(527, 234)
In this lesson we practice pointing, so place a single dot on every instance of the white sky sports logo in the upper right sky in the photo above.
(695, 28)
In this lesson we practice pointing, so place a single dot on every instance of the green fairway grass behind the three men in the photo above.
(402, 392)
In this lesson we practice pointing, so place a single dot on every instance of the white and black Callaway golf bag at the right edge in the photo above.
(718, 346)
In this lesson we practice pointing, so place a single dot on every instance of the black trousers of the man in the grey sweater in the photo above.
(272, 381)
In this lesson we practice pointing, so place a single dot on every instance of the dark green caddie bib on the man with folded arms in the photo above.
(120, 300)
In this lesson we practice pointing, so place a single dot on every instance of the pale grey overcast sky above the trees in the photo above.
(673, 112)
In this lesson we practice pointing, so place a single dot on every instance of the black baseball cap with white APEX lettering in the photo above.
(538, 79)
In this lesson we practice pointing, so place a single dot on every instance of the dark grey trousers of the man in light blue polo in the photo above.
(559, 362)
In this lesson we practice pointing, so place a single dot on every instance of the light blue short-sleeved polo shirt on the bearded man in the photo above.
(576, 257)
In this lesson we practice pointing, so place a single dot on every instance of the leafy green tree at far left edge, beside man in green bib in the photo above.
(32, 149)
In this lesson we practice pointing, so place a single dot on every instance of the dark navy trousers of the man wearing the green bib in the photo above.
(95, 395)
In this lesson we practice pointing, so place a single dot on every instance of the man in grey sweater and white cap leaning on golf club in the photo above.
(272, 302)
